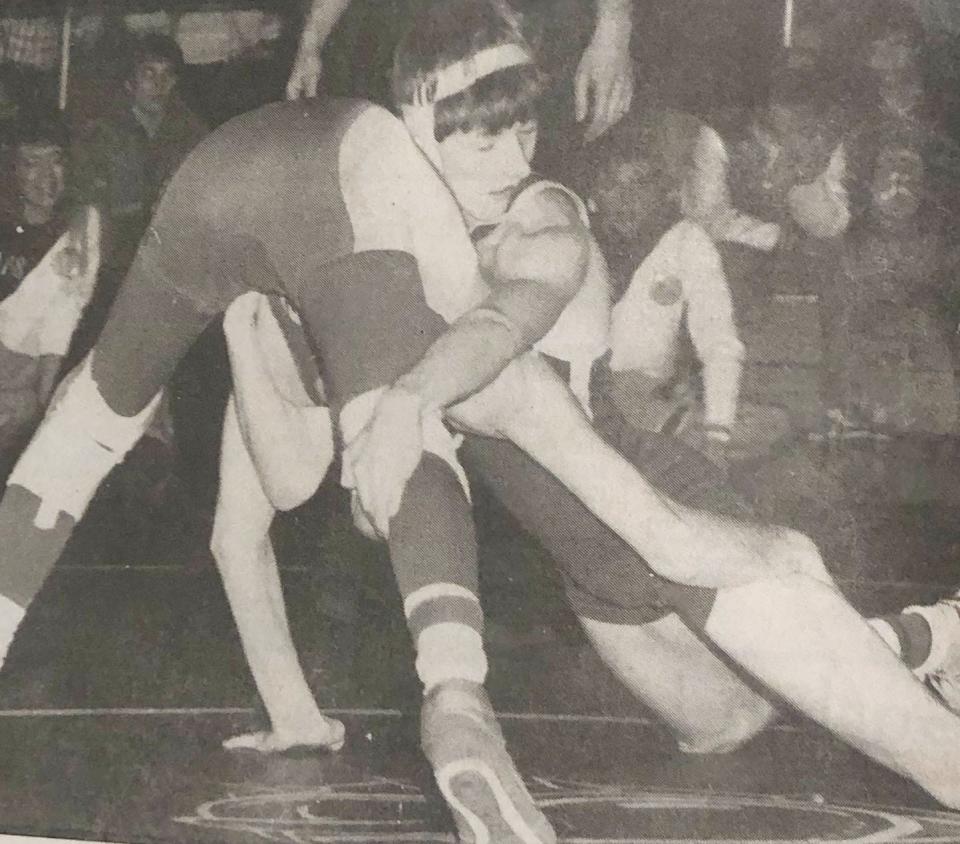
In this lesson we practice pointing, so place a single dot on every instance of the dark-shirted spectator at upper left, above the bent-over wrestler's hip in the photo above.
(123, 160)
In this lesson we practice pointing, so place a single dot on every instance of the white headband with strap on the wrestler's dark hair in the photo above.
(420, 116)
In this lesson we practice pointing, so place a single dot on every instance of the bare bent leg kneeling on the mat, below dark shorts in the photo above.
(669, 669)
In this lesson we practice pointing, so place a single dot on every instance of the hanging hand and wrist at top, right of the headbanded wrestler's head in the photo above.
(603, 85)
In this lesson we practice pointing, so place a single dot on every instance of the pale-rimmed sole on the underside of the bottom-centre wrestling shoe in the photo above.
(476, 794)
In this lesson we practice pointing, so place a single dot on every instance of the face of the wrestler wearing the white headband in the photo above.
(483, 169)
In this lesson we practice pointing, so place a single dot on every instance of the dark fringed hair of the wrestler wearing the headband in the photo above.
(448, 31)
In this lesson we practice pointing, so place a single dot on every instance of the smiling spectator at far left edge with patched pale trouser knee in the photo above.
(47, 272)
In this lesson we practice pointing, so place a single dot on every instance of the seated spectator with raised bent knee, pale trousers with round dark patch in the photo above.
(661, 199)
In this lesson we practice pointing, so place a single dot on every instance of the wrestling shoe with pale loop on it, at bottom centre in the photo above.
(464, 745)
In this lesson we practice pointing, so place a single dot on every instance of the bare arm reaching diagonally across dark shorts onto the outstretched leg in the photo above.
(529, 405)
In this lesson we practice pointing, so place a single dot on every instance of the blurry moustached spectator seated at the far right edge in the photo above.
(897, 296)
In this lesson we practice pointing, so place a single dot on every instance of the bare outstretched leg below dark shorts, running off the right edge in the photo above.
(803, 640)
